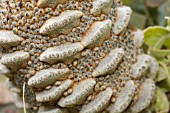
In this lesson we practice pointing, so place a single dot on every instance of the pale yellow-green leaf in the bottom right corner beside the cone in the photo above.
(162, 103)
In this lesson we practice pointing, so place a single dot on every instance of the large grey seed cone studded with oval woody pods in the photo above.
(75, 56)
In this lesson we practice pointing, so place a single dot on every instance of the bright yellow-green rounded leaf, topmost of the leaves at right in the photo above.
(153, 34)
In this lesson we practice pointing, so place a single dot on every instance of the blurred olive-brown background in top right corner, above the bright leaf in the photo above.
(148, 12)
